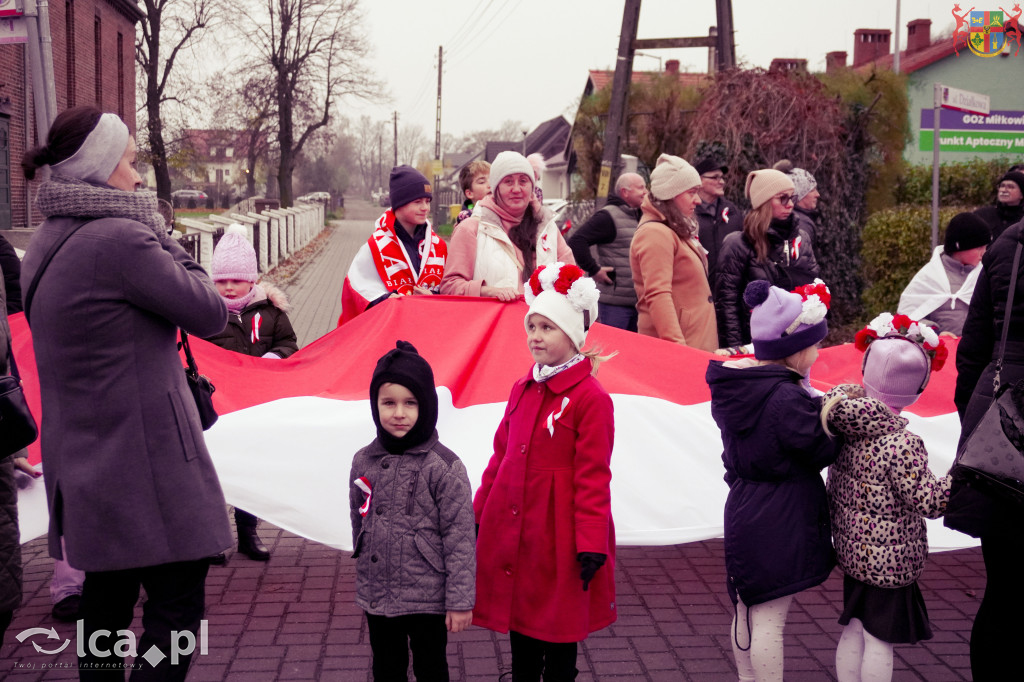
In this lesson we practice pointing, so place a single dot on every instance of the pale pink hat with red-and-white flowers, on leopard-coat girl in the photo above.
(900, 356)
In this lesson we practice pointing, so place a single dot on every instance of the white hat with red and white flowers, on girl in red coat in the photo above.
(565, 295)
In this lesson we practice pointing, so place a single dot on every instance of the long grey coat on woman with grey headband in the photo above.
(130, 482)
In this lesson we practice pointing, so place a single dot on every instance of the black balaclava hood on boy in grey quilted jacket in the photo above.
(406, 367)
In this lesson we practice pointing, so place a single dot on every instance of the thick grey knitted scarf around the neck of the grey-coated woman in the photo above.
(70, 197)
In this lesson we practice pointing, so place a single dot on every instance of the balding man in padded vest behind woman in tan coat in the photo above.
(612, 230)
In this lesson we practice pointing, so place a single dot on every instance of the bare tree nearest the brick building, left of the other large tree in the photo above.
(168, 24)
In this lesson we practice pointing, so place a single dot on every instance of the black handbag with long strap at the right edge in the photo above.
(993, 457)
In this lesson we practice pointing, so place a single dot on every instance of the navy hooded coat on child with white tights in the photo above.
(778, 532)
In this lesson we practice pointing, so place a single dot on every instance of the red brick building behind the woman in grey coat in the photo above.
(94, 64)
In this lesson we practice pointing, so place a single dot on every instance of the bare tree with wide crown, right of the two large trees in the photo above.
(315, 52)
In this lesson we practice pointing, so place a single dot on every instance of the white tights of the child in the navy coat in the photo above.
(759, 651)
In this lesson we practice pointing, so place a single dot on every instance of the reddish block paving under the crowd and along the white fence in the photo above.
(294, 618)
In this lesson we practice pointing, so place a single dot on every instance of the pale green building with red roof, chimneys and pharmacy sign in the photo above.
(927, 62)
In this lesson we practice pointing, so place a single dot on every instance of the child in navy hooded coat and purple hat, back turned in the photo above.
(778, 536)
